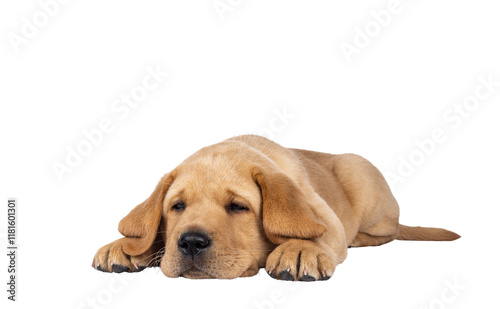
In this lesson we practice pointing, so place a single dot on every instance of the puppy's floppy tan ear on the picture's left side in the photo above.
(140, 226)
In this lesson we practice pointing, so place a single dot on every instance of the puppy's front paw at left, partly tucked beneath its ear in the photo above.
(111, 258)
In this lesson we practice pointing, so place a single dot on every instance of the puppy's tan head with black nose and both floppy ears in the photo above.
(225, 209)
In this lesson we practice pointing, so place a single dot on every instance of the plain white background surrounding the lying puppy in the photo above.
(232, 75)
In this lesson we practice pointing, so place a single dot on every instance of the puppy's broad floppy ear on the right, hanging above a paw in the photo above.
(286, 213)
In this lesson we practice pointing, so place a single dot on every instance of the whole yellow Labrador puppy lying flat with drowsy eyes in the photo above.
(246, 203)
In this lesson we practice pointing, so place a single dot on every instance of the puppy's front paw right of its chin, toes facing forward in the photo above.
(301, 260)
